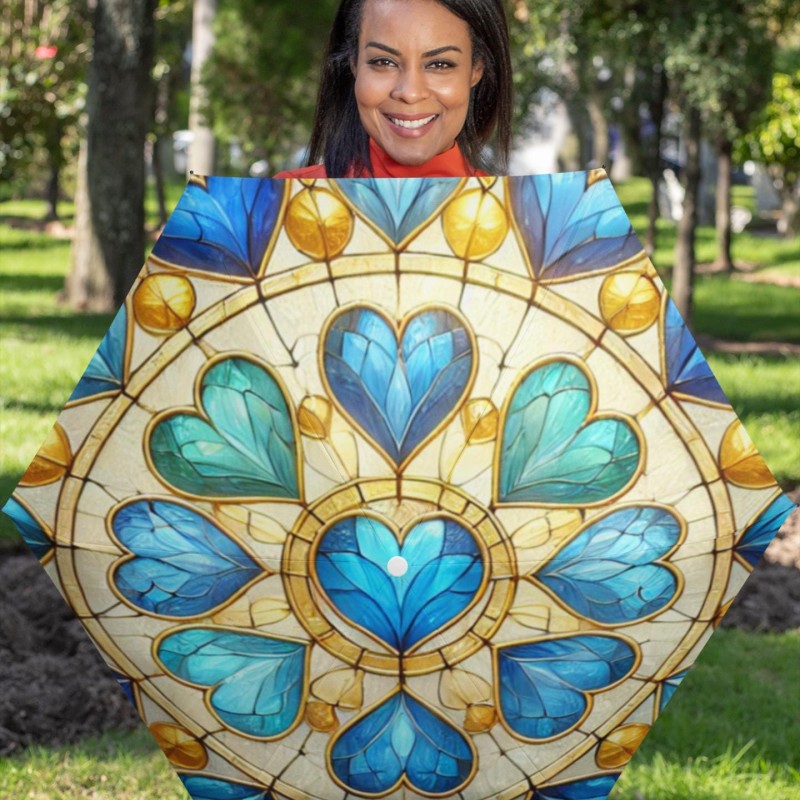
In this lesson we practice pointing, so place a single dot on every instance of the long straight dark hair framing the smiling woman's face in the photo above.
(338, 137)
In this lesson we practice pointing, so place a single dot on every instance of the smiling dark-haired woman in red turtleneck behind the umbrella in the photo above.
(412, 88)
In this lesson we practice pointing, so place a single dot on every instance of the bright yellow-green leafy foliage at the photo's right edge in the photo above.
(774, 140)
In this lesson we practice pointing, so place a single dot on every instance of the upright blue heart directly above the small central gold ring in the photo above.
(398, 389)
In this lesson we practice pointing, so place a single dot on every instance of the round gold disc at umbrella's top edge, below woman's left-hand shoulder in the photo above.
(318, 223)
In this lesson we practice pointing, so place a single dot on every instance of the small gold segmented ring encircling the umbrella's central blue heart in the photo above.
(302, 586)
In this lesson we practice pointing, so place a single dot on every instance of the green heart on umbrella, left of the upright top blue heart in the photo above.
(243, 445)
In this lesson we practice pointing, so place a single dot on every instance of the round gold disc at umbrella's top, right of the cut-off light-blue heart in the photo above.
(475, 224)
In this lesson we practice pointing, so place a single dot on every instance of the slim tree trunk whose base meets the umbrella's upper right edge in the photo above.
(683, 271)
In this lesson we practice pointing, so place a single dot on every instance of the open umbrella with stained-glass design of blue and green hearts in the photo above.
(406, 488)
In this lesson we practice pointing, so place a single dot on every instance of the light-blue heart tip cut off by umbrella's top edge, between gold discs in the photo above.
(398, 207)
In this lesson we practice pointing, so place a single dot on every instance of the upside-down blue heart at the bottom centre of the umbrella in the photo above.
(401, 741)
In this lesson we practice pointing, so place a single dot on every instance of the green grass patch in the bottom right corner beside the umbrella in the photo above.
(732, 732)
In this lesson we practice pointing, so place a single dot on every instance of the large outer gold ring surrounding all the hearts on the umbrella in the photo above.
(267, 286)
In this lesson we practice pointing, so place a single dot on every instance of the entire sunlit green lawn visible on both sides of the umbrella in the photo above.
(734, 729)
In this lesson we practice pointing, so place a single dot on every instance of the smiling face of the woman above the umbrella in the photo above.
(413, 77)
